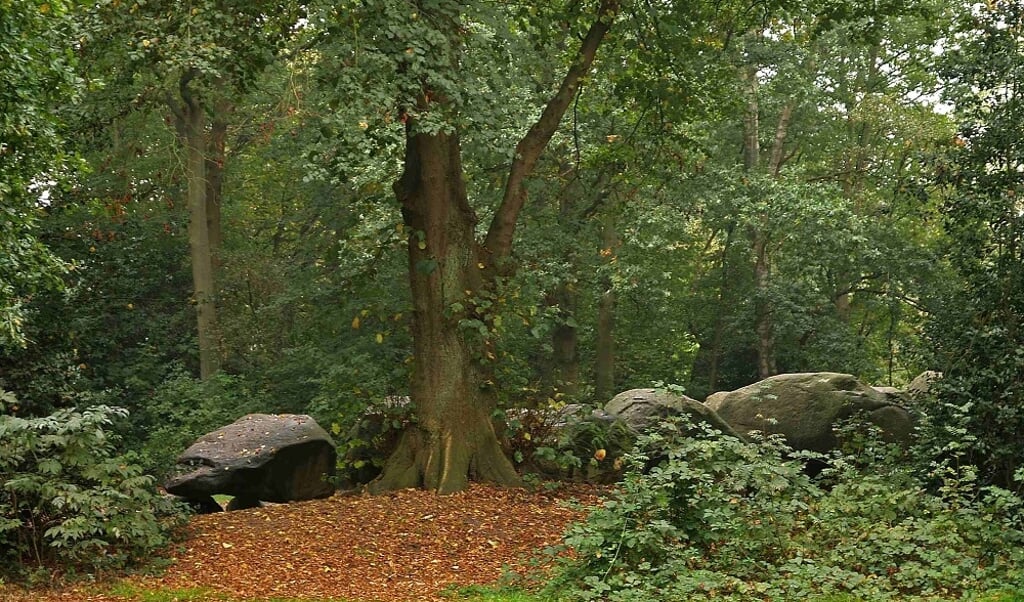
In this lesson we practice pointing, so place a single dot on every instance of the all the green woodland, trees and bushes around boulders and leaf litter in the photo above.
(210, 208)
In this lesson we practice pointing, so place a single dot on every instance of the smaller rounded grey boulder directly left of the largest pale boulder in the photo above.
(644, 409)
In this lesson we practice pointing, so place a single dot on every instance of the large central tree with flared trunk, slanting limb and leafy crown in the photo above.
(472, 76)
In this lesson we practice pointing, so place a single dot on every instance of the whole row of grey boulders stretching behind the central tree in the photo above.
(285, 458)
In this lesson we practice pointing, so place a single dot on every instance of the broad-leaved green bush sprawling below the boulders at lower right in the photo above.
(713, 518)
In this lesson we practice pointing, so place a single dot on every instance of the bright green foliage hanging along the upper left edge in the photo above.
(37, 69)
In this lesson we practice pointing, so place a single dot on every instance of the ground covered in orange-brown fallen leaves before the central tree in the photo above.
(407, 546)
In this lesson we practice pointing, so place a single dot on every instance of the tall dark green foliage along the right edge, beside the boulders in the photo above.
(976, 335)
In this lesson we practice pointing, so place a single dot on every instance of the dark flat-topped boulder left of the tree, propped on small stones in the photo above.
(261, 457)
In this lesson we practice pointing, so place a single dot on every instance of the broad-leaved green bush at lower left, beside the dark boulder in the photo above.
(68, 502)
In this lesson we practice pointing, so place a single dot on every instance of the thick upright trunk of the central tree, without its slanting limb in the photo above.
(453, 439)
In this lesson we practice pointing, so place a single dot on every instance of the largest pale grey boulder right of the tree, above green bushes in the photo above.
(804, 408)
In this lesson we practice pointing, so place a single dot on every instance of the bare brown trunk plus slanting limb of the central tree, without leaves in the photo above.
(453, 440)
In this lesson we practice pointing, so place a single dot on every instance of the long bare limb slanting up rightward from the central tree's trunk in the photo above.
(528, 152)
